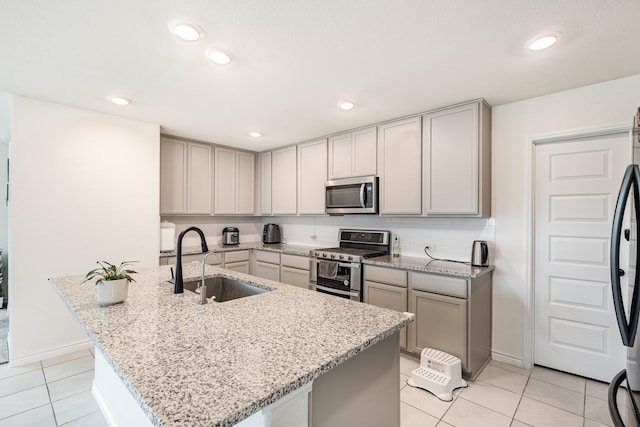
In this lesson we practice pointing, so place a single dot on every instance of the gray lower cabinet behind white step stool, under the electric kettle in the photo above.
(452, 315)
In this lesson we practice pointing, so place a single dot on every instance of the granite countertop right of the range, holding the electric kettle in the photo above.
(425, 265)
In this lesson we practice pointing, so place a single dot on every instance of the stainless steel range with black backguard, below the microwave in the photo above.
(339, 270)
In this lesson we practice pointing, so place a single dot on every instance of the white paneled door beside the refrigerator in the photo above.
(576, 187)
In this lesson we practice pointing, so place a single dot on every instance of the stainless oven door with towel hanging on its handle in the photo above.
(341, 279)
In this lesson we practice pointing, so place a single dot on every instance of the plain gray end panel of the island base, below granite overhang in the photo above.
(361, 391)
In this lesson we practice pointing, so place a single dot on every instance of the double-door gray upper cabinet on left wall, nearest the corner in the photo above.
(234, 182)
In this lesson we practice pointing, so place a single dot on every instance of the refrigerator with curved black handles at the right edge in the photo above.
(626, 299)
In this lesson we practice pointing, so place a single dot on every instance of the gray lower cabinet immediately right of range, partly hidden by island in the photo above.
(387, 288)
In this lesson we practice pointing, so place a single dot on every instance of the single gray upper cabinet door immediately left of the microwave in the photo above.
(312, 175)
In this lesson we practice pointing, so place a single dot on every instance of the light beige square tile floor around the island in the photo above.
(57, 392)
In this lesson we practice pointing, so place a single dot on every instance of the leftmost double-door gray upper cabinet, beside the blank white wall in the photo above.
(185, 177)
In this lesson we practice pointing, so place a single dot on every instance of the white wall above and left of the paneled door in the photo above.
(513, 124)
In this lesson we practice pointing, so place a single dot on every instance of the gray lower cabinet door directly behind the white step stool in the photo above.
(440, 323)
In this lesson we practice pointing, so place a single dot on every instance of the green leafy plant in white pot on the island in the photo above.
(113, 282)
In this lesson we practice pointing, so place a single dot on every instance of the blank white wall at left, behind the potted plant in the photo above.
(85, 187)
